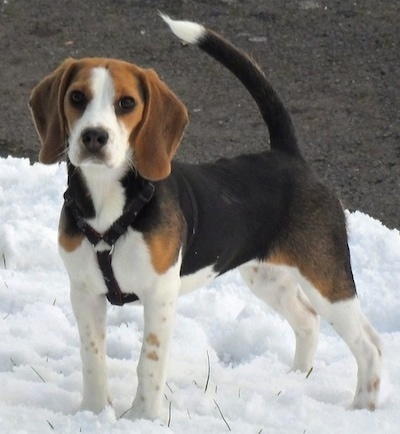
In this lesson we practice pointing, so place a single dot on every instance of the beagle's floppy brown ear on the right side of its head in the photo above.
(161, 129)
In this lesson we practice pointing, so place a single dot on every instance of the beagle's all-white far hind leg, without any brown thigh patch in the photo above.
(276, 287)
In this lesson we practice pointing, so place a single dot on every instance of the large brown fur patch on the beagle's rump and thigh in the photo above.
(313, 238)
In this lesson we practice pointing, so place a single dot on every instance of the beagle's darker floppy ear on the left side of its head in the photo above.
(46, 103)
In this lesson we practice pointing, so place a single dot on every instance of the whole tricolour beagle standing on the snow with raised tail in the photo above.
(137, 226)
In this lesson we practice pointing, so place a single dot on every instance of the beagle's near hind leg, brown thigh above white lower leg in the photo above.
(326, 279)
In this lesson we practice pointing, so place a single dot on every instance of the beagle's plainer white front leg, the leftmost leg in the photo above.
(90, 311)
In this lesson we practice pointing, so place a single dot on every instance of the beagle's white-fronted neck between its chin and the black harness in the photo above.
(101, 193)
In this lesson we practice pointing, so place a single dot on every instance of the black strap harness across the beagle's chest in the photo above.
(104, 257)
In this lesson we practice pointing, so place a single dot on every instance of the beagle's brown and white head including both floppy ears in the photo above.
(108, 112)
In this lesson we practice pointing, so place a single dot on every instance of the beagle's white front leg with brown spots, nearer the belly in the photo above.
(159, 318)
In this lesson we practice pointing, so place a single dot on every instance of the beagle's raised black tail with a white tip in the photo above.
(274, 113)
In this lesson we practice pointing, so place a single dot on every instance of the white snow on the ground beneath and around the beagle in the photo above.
(231, 355)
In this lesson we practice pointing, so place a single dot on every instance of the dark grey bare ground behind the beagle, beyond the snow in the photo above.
(335, 63)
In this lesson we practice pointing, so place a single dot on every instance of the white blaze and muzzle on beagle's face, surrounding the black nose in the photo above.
(100, 113)
